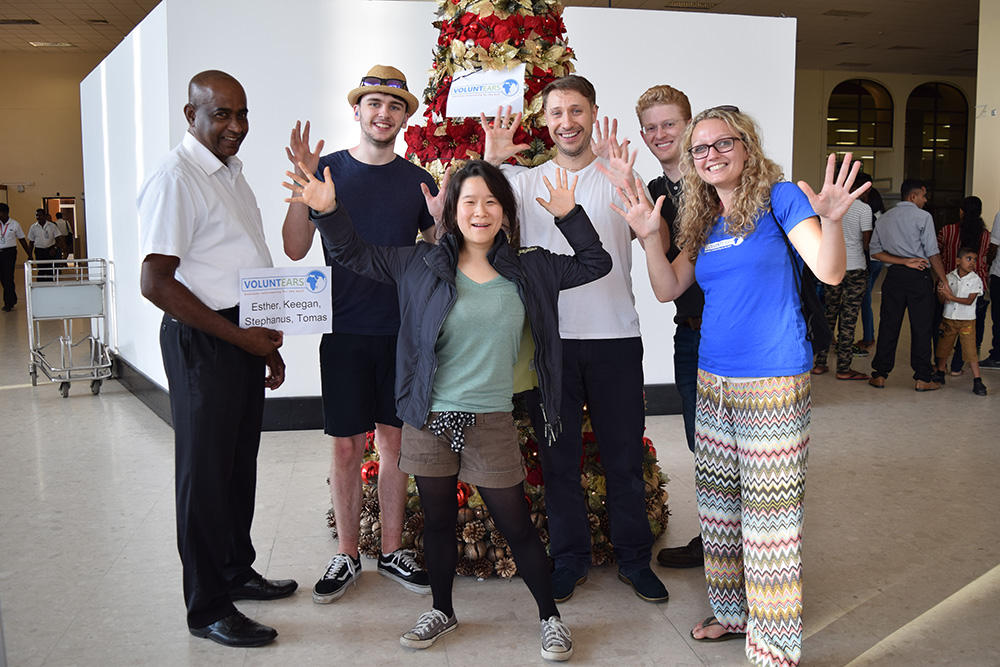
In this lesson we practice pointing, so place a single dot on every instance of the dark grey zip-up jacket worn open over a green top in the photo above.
(424, 276)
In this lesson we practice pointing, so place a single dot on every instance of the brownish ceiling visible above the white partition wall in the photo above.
(907, 36)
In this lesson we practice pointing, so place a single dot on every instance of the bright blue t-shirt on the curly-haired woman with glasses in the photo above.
(752, 325)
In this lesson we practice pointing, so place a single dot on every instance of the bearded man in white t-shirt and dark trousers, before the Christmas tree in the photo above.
(601, 349)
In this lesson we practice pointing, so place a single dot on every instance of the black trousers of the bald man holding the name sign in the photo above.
(217, 402)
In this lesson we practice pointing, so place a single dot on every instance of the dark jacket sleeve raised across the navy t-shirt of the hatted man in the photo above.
(382, 263)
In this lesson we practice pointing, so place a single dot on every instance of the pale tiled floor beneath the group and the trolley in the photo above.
(902, 543)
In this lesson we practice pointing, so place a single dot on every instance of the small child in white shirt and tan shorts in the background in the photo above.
(960, 318)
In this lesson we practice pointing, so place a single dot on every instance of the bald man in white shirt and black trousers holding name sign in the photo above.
(199, 225)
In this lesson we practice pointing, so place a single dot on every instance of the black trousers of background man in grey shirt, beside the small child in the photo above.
(905, 289)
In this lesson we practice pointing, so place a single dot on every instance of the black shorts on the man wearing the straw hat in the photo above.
(358, 376)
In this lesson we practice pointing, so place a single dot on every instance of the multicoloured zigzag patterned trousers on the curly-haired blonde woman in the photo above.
(751, 446)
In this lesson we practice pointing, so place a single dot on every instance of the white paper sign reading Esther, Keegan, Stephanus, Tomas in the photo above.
(294, 300)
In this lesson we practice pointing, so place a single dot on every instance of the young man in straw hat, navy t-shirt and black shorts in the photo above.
(385, 195)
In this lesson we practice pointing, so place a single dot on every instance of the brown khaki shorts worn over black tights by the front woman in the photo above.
(491, 457)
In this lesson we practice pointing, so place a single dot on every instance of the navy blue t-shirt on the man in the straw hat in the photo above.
(388, 209)
